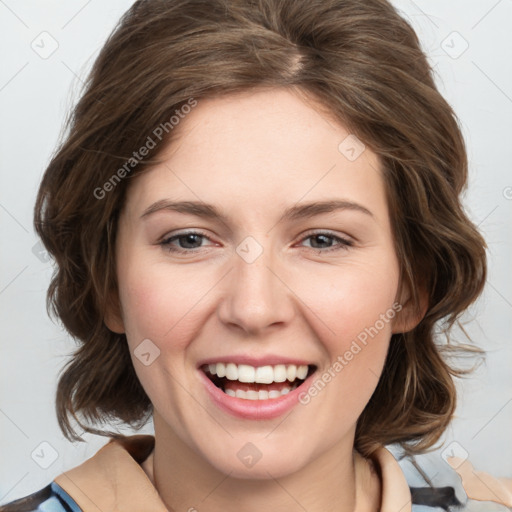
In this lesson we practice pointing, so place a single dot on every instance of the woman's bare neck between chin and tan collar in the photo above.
(339, 480)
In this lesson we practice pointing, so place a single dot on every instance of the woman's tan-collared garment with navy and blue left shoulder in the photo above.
(114, 479)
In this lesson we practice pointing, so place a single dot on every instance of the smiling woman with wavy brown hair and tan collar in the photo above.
(256, 222)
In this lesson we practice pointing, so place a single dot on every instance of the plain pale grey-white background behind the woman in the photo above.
(35, 95)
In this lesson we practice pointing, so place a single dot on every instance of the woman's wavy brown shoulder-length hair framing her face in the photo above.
(364, 65)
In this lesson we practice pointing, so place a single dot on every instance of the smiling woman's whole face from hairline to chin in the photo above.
(276, 283)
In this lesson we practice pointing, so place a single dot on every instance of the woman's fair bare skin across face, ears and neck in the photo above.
(253, 155)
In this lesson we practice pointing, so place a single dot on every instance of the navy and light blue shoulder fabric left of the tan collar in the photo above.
(51, 498)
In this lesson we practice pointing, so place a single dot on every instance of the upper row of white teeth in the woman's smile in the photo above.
(260, 374)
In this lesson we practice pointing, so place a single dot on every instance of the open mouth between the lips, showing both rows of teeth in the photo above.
(257, 383)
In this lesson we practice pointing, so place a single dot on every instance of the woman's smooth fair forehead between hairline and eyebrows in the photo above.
(269, 148)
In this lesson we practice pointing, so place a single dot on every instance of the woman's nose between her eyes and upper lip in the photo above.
(257, 296)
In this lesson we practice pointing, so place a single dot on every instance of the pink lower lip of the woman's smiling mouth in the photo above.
(255, 409)
